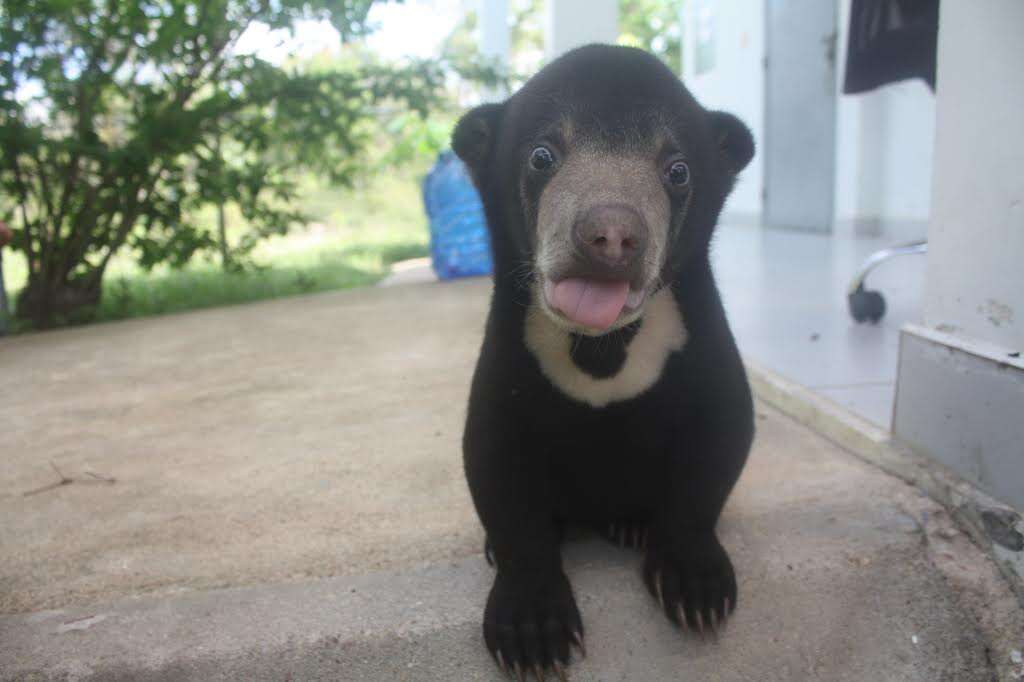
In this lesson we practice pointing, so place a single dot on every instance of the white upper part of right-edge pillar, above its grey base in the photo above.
(976, 241)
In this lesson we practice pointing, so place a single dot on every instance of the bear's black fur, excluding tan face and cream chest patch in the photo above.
(664, 461)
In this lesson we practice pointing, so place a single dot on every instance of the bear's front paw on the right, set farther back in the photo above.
(695, 584)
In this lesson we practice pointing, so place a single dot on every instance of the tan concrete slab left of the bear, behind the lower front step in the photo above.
(277, 442)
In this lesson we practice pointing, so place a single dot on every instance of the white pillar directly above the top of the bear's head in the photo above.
(575, 23)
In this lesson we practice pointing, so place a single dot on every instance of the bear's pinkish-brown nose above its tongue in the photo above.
(612, 239)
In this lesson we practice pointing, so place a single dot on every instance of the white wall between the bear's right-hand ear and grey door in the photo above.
(737, 83)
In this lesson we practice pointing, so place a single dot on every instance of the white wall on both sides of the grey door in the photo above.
(884, 139)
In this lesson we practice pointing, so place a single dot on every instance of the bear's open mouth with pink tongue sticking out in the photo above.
(592, 305)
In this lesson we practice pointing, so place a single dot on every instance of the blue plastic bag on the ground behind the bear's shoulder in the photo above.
(460, 245)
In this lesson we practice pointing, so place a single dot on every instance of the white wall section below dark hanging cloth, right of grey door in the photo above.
(884, 148)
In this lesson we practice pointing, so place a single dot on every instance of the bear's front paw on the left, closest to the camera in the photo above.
(530, 623)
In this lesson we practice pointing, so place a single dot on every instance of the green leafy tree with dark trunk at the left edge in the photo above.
(120, 119)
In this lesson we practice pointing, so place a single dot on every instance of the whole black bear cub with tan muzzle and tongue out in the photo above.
(609, 393)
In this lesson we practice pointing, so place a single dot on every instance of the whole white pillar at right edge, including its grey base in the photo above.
(961, 386)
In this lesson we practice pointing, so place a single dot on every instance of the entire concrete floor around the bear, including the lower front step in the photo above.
(289, 504)
